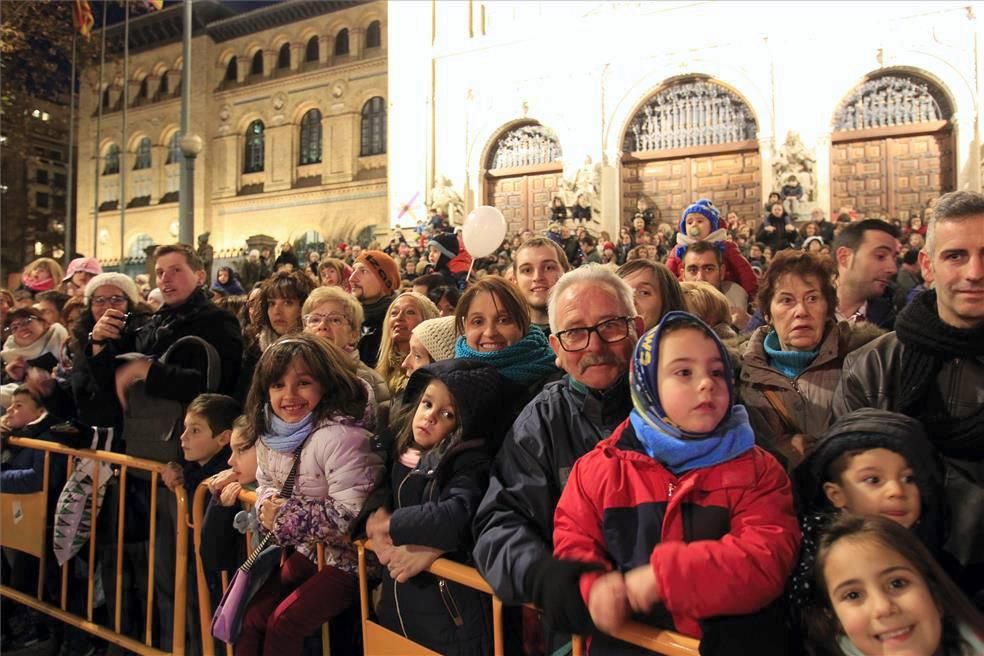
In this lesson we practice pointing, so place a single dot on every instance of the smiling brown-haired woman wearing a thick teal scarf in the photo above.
(492, 321)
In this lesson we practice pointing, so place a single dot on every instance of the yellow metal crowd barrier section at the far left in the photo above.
(25, 529)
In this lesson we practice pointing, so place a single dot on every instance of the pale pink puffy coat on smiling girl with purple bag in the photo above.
(337, 471)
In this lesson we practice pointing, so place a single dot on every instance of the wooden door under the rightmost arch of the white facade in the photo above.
(891, 177)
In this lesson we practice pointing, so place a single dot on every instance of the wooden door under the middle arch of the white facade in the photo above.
(733, 181)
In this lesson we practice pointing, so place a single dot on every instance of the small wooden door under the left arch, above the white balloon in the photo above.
(524, 200)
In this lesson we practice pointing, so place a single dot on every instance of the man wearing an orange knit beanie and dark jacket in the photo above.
(374, 281)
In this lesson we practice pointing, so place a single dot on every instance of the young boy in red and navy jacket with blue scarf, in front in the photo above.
(691, 524)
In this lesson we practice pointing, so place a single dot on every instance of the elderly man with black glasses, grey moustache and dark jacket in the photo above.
(594, 329)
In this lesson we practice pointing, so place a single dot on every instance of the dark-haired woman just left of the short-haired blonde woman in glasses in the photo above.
(276, 312)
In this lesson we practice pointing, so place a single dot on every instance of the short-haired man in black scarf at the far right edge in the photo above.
(932, 368)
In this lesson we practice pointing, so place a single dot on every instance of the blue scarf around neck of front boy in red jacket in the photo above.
(663, 441)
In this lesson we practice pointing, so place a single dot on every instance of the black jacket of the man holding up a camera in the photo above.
(183, 378)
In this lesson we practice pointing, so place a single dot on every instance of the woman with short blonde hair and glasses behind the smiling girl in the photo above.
(335, 315)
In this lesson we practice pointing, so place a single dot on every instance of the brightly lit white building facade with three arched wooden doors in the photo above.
(871, 105)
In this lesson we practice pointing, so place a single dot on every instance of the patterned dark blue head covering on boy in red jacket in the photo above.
(645, 365)
